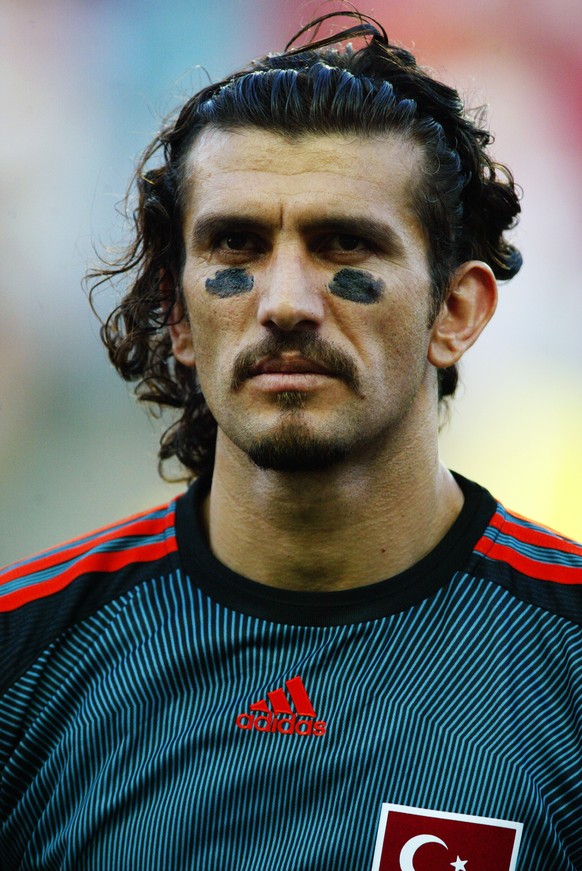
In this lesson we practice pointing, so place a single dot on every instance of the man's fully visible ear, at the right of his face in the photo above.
(466, 311)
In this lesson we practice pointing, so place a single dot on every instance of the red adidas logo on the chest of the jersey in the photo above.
(280, 717)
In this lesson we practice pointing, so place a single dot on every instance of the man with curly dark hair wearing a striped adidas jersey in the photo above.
(331, 652)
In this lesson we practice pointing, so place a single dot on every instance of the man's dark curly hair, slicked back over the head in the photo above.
(464, 200)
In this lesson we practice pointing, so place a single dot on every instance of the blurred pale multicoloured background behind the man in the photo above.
(84, 85)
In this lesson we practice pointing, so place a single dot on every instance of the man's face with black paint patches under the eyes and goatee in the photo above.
(307, 291)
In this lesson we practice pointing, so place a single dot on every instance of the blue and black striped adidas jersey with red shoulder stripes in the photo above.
(158, 711)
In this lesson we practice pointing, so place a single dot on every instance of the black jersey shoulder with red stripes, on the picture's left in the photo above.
(46, 594)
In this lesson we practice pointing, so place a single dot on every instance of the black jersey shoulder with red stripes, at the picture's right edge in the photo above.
(532, 561)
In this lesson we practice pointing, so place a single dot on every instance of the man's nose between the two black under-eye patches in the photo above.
(291, 298)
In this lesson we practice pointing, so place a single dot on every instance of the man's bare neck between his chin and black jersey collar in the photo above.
(345, 527)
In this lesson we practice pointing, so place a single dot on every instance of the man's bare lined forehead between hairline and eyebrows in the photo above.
(254, 169)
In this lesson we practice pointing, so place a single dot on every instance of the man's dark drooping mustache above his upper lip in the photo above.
(310, 346)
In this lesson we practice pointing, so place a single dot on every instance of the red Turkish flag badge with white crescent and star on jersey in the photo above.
(414, 839)
